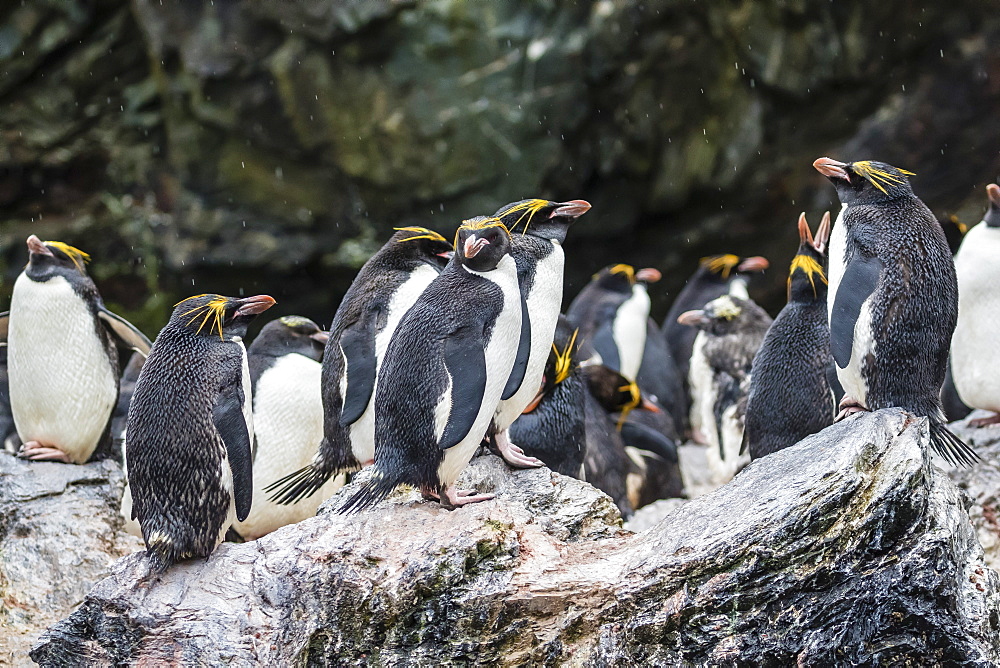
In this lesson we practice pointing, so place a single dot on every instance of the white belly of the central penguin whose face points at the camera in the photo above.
(500, 354)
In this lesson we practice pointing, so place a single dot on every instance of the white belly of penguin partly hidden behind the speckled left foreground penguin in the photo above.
(288, 424)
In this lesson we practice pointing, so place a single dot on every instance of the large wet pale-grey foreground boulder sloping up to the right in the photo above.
(847, 548)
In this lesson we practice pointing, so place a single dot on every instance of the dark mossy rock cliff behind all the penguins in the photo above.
(266, 144)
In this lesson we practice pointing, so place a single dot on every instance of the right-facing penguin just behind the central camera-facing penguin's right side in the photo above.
(538, 230)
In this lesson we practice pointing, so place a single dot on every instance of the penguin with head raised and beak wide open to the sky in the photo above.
(790, 397)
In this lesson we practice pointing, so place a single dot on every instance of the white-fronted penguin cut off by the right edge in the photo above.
(974, 344)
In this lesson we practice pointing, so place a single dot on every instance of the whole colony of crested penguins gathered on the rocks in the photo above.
(440, 348)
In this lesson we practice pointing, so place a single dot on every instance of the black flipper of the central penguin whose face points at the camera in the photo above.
(465, 359)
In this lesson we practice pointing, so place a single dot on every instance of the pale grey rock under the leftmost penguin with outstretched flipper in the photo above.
(60, 533)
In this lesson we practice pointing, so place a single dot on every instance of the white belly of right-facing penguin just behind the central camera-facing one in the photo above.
(544, 304)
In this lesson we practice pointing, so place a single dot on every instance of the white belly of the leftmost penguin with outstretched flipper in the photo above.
(62, 388)
